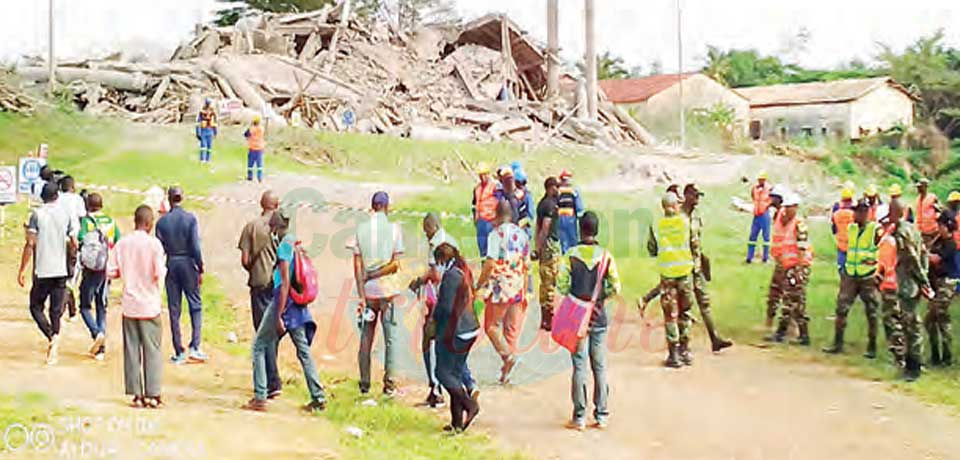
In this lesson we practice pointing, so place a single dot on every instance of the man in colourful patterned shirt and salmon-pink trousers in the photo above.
(503, 286)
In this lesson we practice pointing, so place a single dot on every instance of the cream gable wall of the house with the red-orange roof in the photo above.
(699, 92)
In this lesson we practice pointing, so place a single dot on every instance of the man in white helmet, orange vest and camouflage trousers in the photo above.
(791, 249)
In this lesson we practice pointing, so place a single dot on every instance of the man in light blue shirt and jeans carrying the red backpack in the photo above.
(281, 317)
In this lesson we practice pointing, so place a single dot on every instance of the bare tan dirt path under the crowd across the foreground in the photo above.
(743, 405)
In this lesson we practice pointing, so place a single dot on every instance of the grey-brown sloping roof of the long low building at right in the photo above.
(831, 92)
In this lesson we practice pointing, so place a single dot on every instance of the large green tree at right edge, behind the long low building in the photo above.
(932, 70)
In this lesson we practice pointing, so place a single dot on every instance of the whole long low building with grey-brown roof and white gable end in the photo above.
(843, 109)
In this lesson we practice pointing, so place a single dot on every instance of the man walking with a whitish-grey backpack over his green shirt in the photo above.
(98, 235)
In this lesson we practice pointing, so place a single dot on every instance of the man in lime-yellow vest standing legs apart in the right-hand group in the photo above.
(858, 278)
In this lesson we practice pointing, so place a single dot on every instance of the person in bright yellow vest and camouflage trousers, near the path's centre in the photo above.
(670, 244)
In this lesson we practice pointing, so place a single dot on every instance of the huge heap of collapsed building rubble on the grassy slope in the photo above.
(485, 80)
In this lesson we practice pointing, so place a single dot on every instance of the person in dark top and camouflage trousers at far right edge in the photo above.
(943, 275)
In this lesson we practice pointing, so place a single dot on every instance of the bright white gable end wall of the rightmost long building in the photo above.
(882, 108)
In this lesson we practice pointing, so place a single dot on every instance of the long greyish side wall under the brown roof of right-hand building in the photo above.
(797, 120)
